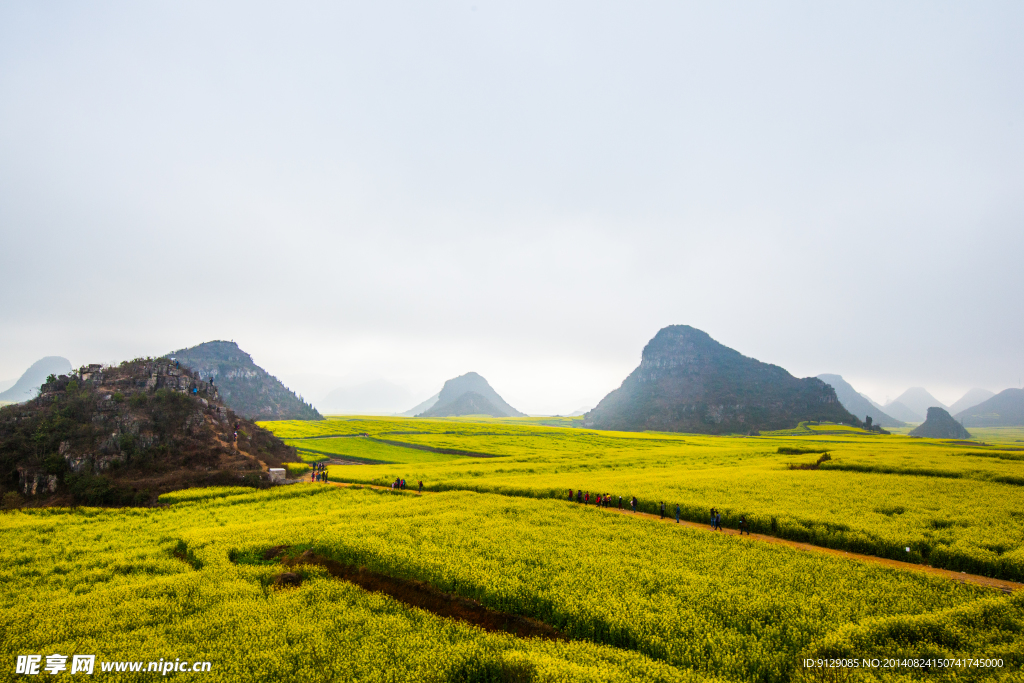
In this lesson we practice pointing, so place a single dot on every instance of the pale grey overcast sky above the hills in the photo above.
(526, 190)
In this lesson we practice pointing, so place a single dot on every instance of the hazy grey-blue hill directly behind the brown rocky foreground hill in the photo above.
(246, 389)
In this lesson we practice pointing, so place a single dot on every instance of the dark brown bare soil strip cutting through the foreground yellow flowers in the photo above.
(426, 597)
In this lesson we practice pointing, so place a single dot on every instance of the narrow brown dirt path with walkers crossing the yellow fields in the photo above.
(998, 584)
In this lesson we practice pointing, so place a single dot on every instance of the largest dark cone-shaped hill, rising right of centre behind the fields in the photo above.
(690, 382)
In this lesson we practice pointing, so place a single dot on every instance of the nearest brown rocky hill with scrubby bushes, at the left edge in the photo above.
(122, 436)
